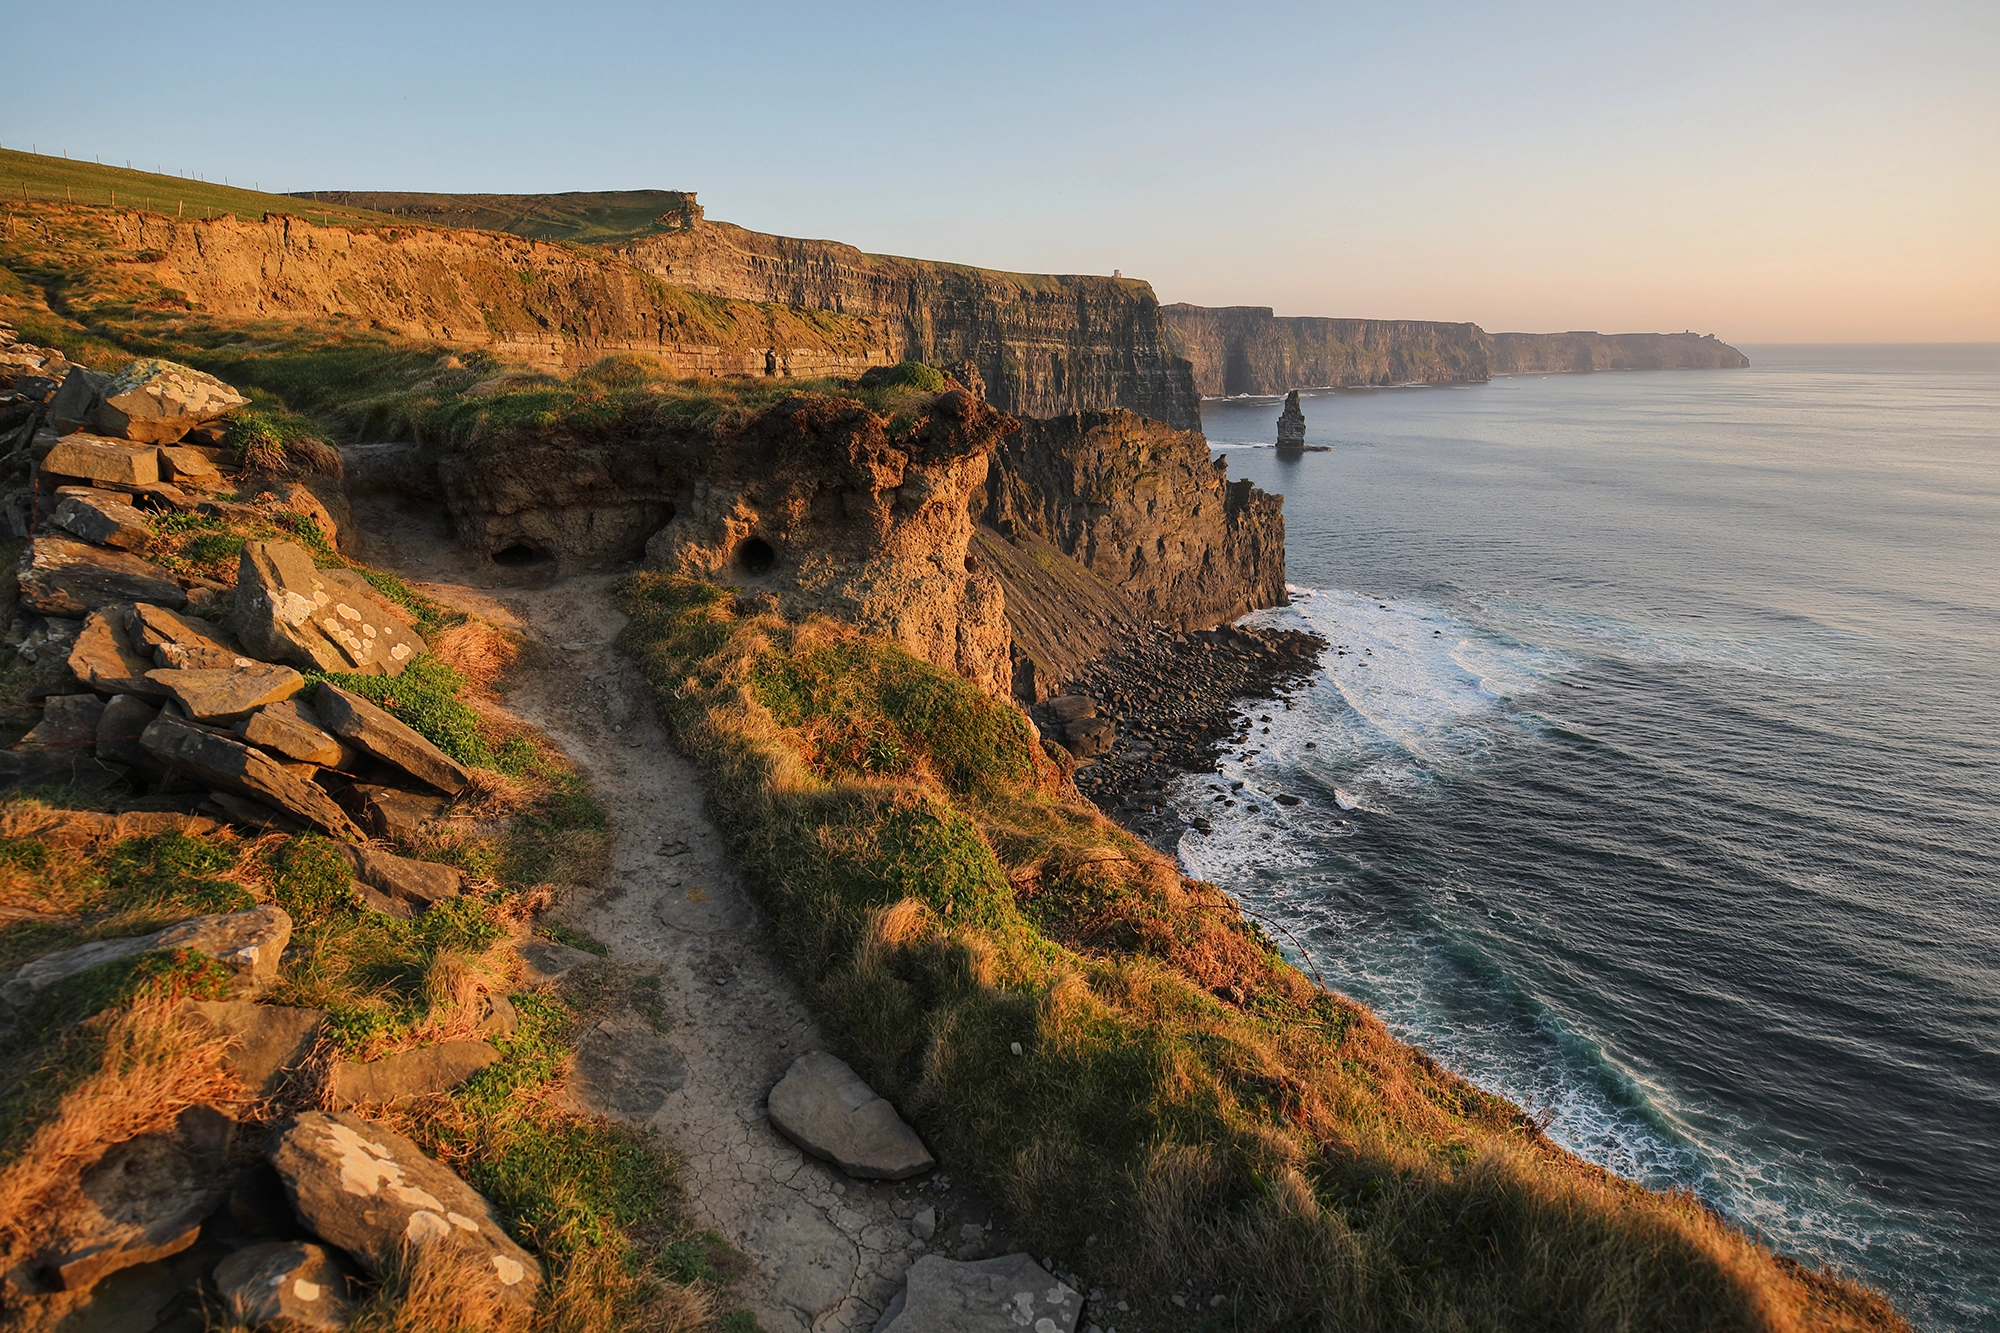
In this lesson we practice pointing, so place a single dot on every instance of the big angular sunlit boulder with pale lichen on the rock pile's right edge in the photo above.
(289, 611)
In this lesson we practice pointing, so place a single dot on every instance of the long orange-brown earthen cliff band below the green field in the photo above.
(541, 303)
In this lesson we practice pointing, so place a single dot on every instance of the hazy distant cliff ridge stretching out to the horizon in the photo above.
(1251, 351)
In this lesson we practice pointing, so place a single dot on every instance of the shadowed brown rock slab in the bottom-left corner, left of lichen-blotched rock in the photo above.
(145, 1200)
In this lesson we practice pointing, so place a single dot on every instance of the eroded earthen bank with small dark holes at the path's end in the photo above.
(815, 503)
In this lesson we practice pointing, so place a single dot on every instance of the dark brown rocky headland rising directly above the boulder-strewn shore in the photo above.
(1145, 513)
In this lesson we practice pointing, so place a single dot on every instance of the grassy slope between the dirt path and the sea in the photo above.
(1185, 1112)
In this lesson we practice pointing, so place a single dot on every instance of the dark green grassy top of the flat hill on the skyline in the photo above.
(587, 217)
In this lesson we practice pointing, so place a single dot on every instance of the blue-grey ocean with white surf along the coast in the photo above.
(1655, 776)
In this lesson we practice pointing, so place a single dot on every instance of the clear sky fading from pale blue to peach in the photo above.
(1769, 173)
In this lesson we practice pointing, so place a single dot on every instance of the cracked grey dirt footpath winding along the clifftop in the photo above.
(827, 1252)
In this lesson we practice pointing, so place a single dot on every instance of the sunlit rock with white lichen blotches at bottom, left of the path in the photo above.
(373, 1194)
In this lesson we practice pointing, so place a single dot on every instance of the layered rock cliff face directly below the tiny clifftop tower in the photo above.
(1041, 343)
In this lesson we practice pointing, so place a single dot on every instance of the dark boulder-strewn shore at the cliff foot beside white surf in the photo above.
(1165, 706)
